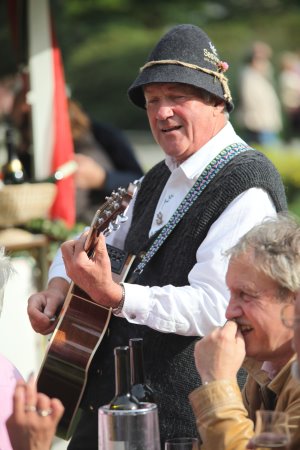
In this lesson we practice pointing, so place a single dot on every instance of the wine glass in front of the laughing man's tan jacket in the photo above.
(271, 430)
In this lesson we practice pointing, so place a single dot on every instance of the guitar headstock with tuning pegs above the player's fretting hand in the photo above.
(109, 216)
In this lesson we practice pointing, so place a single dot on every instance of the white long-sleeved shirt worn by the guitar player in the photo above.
(200, 306)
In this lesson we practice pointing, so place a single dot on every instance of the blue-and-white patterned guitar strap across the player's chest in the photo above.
(204, 179)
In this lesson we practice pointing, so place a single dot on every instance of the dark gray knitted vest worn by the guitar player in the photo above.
(169, 361)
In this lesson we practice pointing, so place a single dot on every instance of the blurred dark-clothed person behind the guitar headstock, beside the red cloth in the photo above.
(105, 159)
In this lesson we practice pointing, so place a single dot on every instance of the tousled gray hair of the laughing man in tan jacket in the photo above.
(276, 247)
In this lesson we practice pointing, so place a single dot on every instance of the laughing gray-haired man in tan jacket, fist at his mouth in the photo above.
(263, 276)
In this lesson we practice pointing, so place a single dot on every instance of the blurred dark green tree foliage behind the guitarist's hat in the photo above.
(104, 42)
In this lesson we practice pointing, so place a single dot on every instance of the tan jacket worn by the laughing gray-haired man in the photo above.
(225, 416)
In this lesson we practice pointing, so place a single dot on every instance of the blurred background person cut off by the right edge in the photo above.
(289, 84)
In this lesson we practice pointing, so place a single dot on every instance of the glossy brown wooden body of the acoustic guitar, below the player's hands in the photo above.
(81, 327)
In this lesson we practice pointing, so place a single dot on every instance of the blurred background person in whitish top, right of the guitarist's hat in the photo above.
(259, 112)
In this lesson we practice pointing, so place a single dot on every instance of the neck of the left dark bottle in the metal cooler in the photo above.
(122, 370)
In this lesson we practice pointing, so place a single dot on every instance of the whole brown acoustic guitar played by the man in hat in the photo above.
(82, 323)
